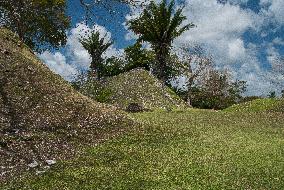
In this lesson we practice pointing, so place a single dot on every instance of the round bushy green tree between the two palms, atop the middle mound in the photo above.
(136, 57)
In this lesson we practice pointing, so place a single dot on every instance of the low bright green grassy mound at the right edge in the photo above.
(259, 105)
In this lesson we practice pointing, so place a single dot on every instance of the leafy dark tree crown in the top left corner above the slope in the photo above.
(40, 24)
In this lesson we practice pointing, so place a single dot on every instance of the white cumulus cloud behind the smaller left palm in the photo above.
(77, 57)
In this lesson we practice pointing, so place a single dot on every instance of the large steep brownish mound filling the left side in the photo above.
(41, 116)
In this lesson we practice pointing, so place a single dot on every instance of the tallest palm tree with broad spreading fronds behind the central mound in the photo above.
(159, 25)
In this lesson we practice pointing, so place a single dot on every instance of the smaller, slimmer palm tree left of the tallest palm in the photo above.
(96, 46)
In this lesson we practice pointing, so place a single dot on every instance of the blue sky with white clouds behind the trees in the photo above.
(243, 36)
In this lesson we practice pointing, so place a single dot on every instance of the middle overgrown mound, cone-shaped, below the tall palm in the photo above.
(140, 87)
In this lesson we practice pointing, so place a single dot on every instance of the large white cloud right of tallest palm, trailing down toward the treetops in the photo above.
(220, 27)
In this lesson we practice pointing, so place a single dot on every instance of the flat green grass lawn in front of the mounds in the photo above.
(193, 149)
